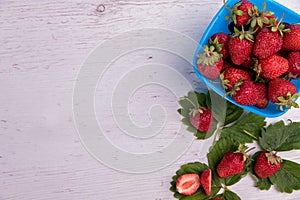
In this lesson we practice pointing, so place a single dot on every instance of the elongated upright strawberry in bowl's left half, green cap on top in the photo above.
(240, 46)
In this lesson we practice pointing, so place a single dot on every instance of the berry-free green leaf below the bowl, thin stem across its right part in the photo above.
(245, 130)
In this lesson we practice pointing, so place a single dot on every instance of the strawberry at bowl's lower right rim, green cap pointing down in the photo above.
(283, 93)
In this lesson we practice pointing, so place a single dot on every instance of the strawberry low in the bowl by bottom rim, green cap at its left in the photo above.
(245, 93)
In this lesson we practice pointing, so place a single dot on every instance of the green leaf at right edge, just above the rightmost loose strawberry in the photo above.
(281, 137)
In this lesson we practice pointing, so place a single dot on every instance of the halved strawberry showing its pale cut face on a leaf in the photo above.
(188, 184)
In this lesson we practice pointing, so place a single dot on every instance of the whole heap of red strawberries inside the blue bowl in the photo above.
(257, 61)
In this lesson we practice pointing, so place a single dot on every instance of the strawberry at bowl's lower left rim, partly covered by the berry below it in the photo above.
(231, 76)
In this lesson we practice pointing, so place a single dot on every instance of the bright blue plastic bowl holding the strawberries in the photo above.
(219, 24)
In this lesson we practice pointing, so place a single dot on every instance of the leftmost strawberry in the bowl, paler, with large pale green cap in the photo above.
(210, 63)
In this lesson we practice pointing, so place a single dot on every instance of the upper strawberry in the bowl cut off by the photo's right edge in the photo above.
(291, 40)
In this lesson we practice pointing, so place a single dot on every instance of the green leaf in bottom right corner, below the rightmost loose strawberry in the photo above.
(287, 178)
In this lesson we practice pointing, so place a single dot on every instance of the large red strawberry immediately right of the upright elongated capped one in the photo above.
(267, 43)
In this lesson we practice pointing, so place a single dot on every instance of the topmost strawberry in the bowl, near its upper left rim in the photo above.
(240, 12)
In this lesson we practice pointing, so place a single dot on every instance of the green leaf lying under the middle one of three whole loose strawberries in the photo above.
(216, 154)
